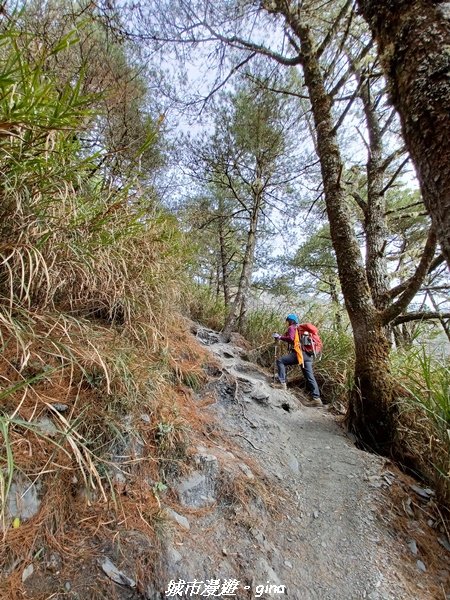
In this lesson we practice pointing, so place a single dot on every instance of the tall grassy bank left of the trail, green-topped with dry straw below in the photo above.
(89, 284)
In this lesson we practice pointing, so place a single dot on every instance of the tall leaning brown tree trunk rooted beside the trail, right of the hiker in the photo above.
(371, 402)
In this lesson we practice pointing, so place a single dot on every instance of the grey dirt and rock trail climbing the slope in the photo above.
(327, 540)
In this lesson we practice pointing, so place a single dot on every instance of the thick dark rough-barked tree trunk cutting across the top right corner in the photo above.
(414, 40)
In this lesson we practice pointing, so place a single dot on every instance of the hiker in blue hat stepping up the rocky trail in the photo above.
(296, 356)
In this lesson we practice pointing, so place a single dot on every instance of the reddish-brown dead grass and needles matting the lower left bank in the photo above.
(124, 414)
